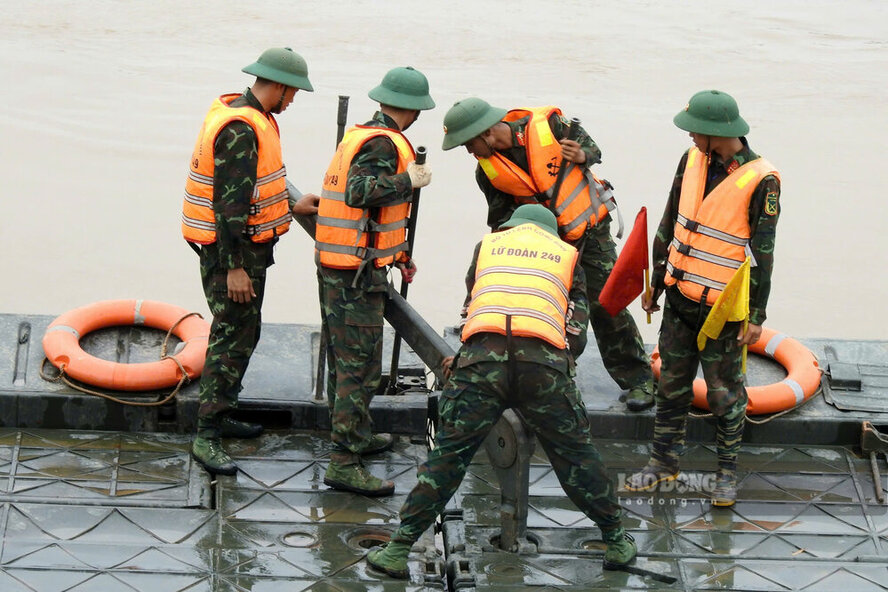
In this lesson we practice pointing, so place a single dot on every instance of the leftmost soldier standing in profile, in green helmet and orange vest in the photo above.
(232, 218)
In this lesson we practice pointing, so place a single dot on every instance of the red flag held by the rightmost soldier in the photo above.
(626, 281)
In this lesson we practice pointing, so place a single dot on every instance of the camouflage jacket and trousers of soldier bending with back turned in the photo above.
(483, 384)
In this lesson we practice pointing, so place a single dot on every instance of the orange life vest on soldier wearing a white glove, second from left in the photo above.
(342, 238)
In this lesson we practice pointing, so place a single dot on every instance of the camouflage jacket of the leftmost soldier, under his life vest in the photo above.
(237, 157)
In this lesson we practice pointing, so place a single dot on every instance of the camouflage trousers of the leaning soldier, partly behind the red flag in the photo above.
(619, 342)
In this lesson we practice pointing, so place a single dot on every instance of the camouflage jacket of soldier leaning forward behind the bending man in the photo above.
(500, 205)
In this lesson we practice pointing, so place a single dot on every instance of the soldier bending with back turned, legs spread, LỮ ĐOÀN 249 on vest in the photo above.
(510, 358)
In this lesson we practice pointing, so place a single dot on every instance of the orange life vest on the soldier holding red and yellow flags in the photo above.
(711, 236)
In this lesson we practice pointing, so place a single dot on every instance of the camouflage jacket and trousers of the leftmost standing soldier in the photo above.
(236, 326)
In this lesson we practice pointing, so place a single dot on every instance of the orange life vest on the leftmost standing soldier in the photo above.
(269, 209)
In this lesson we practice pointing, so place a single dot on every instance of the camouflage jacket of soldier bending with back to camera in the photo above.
(492, 347)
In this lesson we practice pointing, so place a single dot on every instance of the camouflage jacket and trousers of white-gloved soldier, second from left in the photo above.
(352, 309)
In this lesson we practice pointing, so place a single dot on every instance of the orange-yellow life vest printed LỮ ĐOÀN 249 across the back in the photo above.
(523, 274)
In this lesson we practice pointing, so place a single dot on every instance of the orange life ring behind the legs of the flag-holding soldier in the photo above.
(802, 380)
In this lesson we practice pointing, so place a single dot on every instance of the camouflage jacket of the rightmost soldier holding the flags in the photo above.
(764, 209)
